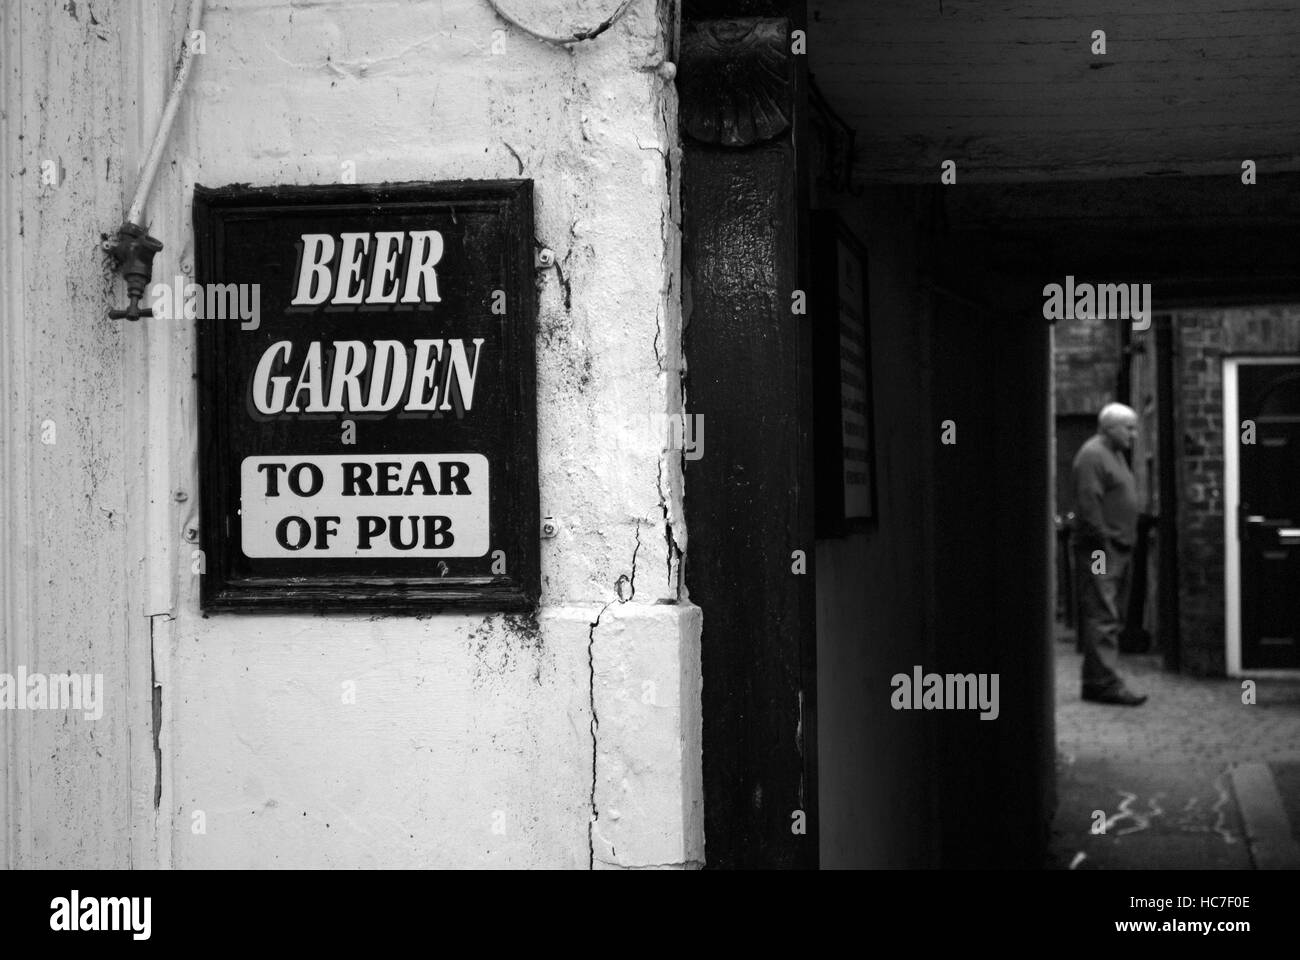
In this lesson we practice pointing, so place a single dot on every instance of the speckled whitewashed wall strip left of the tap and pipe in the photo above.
(67, 547)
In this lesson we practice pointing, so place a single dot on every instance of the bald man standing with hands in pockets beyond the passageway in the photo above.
(1107, 509)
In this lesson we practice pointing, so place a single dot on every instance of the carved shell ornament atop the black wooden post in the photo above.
(736, 81)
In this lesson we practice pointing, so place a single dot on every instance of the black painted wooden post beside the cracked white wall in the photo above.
(751, 496)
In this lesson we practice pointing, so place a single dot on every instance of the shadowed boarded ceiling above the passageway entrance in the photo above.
(1012, 92)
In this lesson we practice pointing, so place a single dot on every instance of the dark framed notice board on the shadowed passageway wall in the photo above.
(844, 431)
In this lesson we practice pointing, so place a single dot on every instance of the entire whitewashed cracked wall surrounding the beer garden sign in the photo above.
(474, 740)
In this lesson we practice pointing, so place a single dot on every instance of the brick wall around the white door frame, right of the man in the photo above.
(1203, 338)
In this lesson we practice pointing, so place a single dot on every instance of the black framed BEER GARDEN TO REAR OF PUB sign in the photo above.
(367, 397)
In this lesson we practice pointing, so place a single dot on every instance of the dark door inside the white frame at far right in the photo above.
(1269, 395)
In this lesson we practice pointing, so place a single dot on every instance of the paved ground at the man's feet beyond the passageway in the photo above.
(1167, 781)
